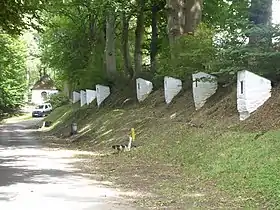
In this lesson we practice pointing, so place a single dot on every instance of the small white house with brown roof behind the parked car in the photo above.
(42, 90)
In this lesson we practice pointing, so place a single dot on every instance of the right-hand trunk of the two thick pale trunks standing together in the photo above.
(193, 15)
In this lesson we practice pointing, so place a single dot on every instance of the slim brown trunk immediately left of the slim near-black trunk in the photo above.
(139, 33)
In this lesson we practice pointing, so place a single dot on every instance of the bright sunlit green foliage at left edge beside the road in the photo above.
(12, 73)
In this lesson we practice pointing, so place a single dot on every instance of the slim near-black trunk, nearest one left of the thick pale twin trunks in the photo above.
(154, 40)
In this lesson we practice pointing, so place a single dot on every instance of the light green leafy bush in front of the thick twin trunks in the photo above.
(190, 54)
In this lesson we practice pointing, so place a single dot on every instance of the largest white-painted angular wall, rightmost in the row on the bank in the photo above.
(252, 92)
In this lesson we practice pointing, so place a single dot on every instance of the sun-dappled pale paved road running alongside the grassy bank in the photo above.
(33, 177)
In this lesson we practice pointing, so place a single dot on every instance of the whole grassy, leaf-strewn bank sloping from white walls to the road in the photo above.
(189, 158)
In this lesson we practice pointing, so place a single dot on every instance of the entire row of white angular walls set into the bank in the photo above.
(252, 91)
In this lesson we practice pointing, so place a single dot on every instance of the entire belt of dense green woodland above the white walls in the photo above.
(85, 42)
